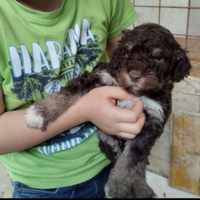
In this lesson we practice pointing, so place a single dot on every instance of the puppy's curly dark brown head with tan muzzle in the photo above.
(148, 59)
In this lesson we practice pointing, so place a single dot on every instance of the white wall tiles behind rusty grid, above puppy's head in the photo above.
(175, 19)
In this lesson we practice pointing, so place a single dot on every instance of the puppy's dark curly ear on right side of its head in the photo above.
(182, 65)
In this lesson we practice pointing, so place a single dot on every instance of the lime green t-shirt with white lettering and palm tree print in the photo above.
(39, 53)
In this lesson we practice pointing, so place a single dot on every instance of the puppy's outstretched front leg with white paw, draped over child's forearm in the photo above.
(39, 114)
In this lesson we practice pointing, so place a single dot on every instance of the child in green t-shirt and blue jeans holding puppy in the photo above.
(45, 44)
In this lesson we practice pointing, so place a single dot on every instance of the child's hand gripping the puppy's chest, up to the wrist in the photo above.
(99, 107)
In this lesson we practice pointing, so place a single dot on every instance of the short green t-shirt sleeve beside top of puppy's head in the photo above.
(122, 16)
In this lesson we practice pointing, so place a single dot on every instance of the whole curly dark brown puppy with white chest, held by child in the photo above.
(146, 63)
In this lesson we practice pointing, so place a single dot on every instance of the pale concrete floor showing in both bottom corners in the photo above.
(158, 183)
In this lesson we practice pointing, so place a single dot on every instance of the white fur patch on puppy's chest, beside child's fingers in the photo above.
(153, 108)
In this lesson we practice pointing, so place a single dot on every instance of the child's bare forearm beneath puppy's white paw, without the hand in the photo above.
(16, 136)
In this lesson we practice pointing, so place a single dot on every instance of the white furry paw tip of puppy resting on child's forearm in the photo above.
(33, 119)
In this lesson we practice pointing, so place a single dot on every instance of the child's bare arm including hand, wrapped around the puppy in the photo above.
(15, 136)
